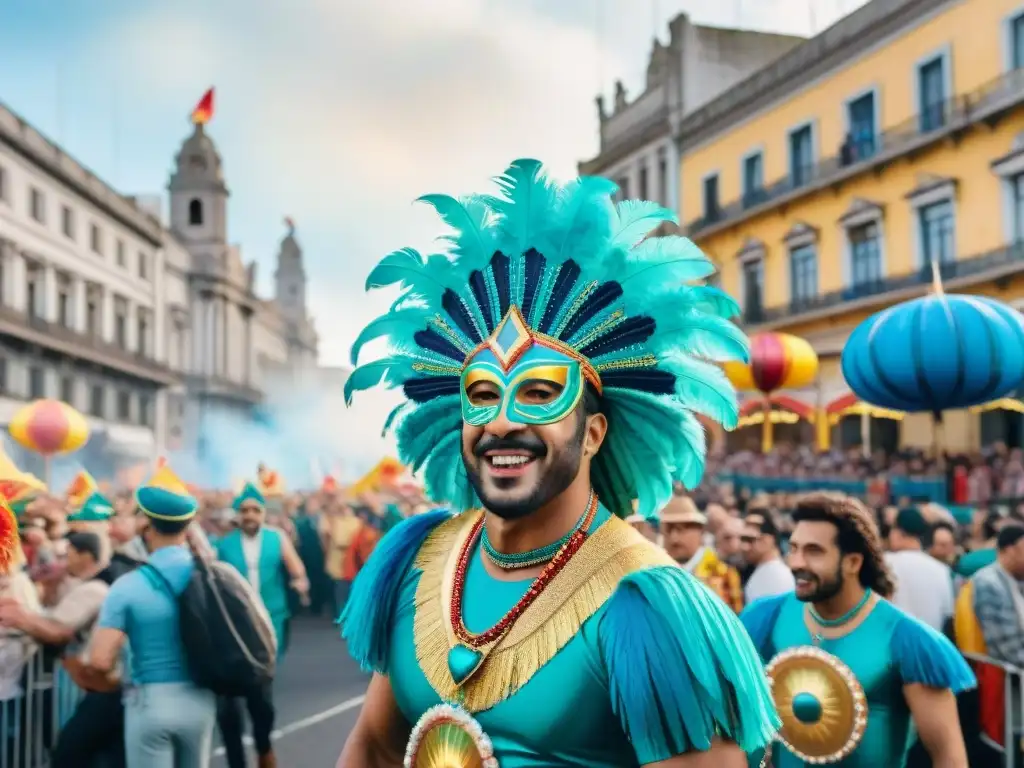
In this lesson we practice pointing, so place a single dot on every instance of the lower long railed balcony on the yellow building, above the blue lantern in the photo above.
(994, 266)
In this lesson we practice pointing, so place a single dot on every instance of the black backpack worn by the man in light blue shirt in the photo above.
(228, 636)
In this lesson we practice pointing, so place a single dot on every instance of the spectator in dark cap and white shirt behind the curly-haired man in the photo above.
(924, 586)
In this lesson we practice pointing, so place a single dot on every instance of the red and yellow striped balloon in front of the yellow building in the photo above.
(778, 362)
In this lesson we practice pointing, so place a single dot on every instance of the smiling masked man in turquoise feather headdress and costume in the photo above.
(552, 362)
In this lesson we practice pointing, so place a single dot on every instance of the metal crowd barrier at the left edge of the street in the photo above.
(31, 719)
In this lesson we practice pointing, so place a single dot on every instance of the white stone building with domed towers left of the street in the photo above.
(140, 324)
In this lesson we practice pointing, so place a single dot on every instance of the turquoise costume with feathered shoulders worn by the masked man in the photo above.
(652, 674)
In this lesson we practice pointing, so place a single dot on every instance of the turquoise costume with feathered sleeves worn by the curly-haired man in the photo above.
(889, 650)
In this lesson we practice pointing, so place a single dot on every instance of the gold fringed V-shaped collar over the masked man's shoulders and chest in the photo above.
(609, 556)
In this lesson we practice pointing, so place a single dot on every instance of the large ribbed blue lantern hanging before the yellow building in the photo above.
(937, 353)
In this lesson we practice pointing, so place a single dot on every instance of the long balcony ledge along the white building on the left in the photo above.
(36, 331)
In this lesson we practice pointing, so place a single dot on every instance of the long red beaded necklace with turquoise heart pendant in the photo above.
(468, 655)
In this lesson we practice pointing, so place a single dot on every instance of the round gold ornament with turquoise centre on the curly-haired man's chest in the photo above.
(822, 705)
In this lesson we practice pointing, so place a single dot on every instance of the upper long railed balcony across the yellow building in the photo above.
(949, 120)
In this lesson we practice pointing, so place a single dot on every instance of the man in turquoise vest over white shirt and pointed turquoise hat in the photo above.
(264, 556)
